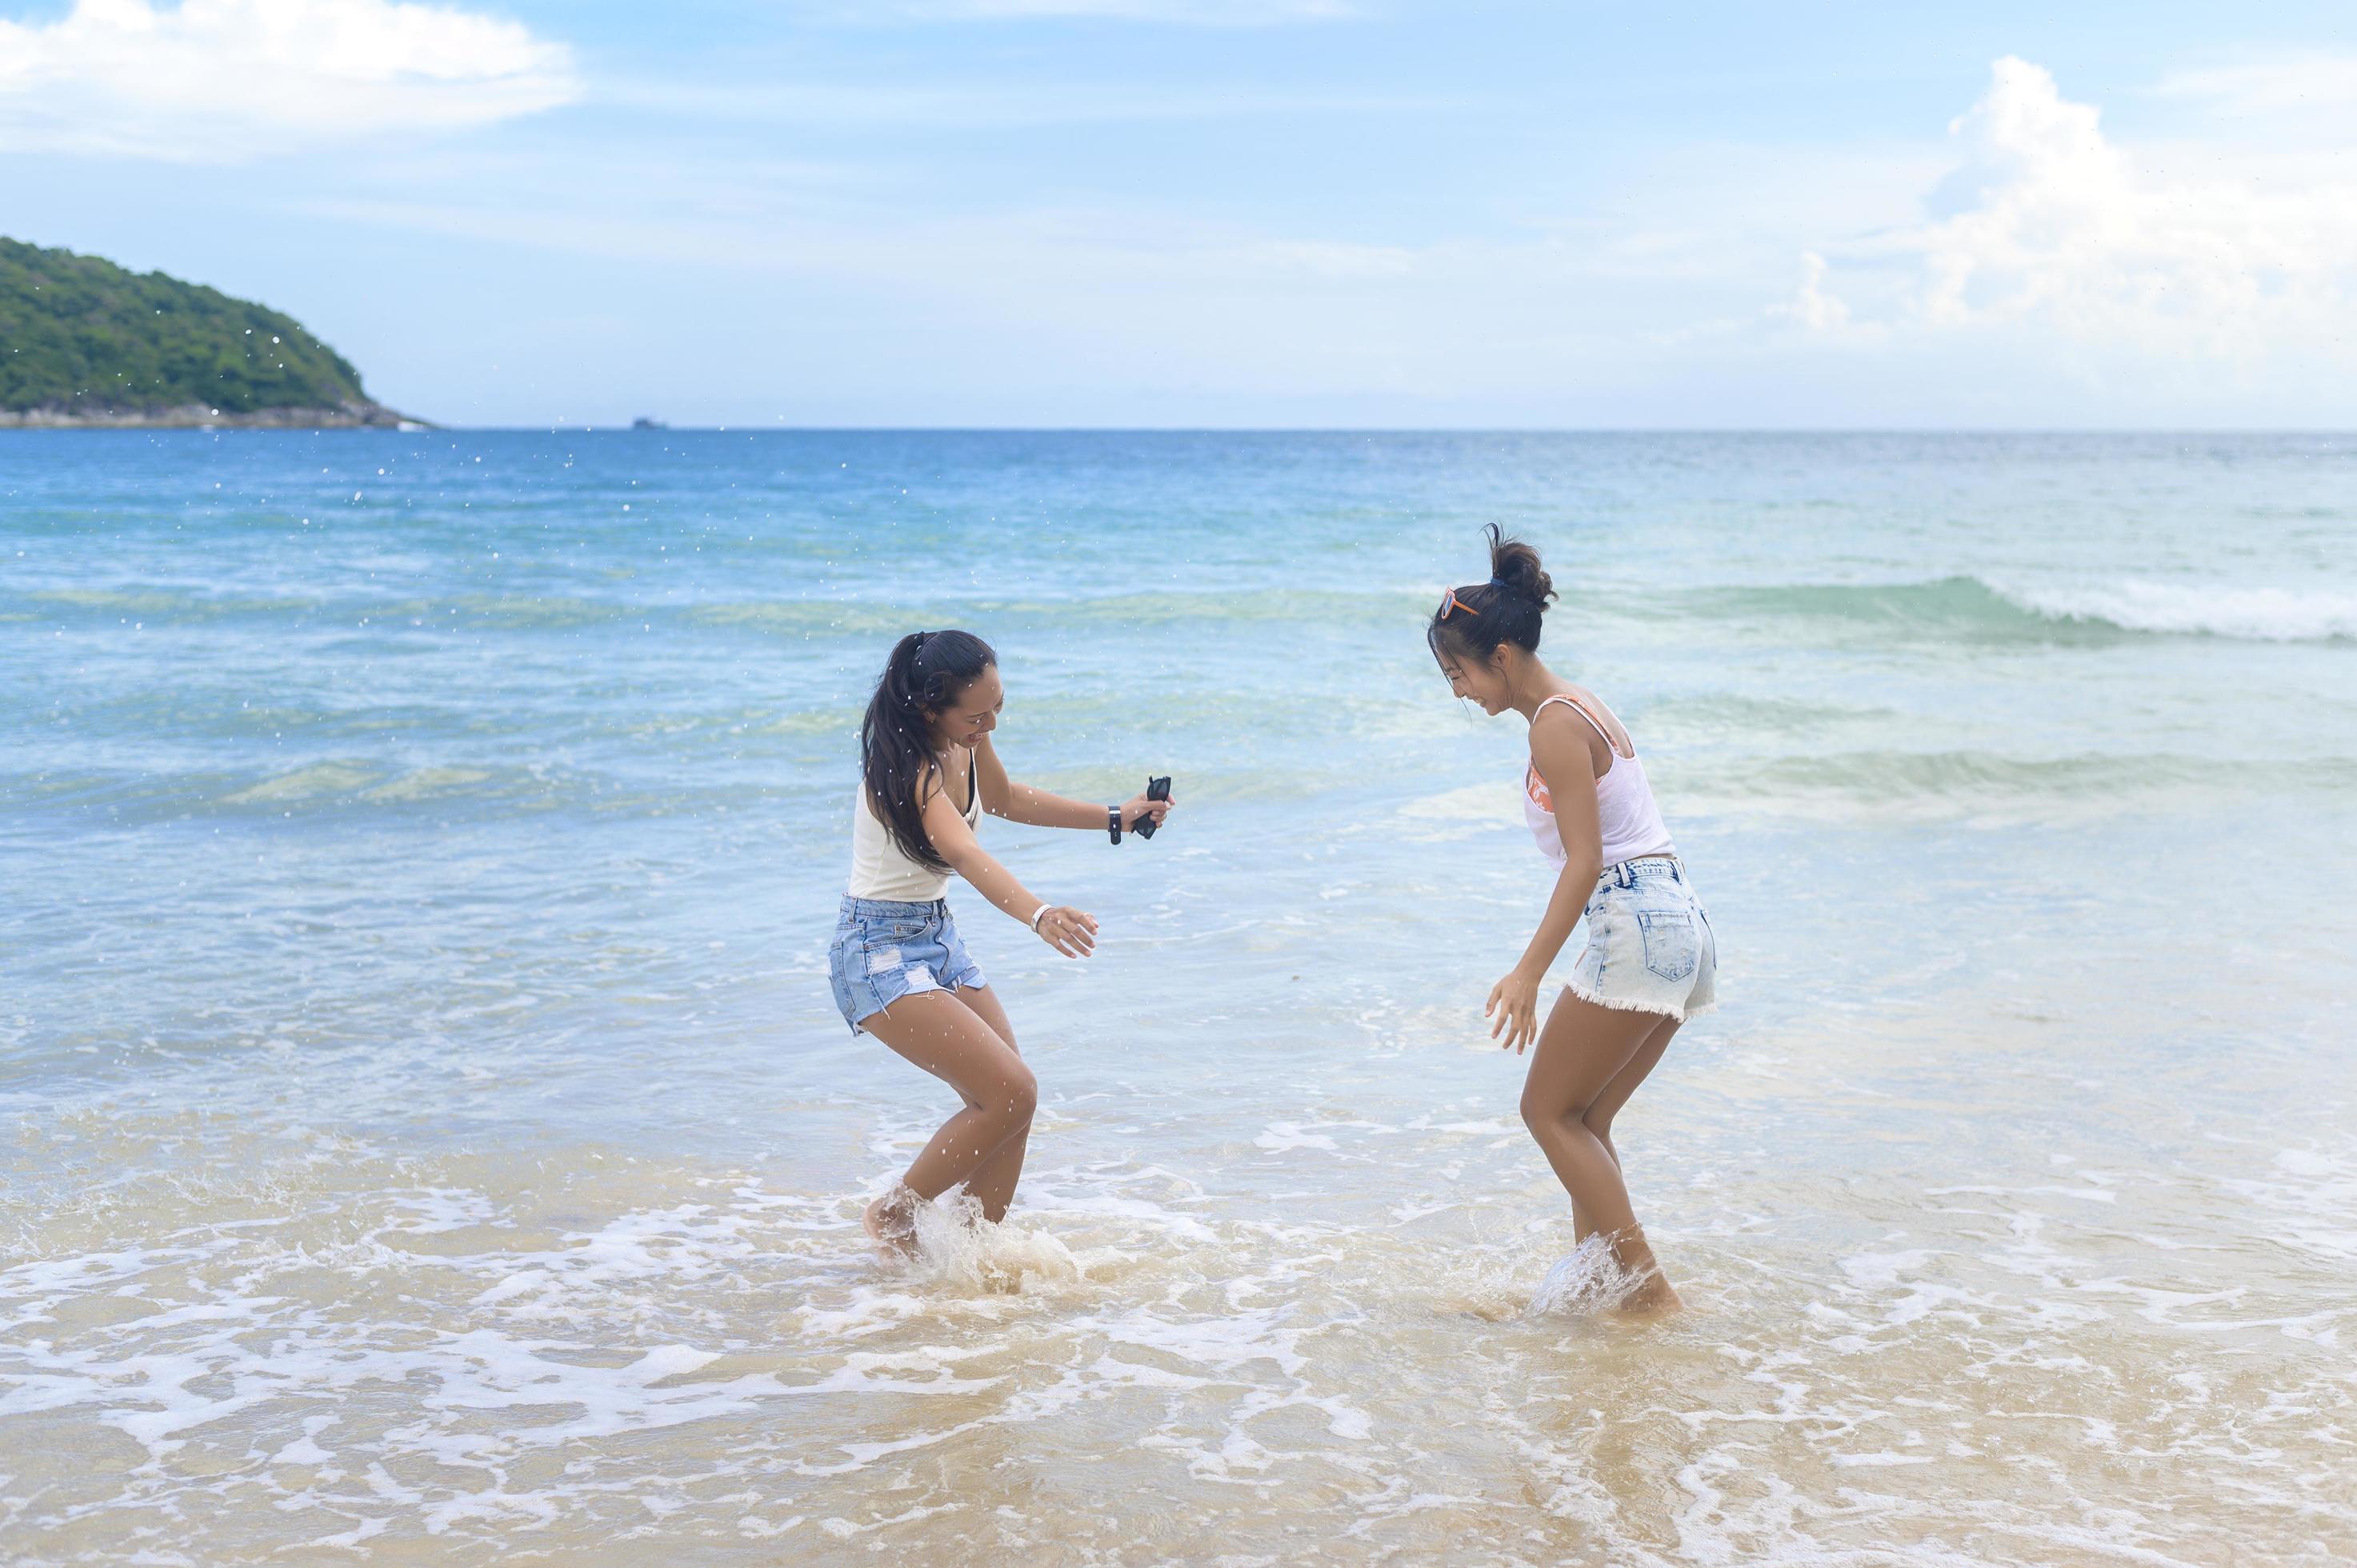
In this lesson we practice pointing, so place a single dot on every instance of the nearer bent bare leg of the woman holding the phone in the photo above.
(951, 1041)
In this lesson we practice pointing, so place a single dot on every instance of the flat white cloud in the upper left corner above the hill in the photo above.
(235, 79)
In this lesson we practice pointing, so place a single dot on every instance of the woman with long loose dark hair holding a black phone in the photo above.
(897, 961)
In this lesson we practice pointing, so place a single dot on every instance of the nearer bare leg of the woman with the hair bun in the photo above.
(1580, 1053)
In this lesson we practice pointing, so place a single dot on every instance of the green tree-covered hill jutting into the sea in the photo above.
(86, 343)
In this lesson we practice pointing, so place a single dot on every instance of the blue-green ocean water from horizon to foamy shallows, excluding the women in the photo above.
(433, 1135)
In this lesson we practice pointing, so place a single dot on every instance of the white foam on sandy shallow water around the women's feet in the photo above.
(1272, 1352)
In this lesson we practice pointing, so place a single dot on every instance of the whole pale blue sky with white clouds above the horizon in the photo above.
(1236, 213)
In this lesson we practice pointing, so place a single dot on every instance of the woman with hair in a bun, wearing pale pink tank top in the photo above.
(1651, 961)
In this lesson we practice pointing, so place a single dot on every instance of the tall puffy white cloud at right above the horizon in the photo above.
(2049, 232)
